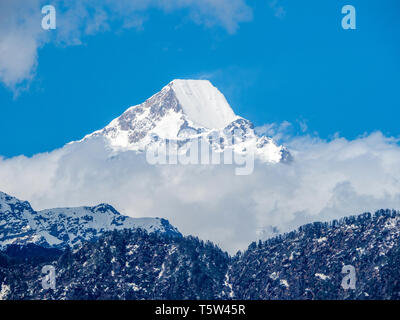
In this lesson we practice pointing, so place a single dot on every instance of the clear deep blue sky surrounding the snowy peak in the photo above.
(300, 66)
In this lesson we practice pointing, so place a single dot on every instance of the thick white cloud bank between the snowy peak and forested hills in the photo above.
(327, 180)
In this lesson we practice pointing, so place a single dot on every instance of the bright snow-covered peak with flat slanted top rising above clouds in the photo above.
(182, 111)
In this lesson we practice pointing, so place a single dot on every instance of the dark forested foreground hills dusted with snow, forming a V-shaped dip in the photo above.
(134, 264)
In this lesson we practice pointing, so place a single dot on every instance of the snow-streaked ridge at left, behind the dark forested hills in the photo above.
(20, 224)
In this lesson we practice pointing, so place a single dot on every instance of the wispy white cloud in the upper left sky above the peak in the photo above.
(21, 35)
